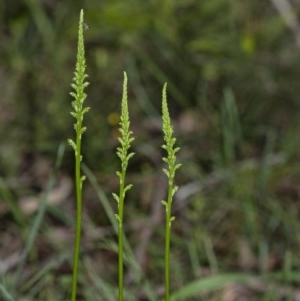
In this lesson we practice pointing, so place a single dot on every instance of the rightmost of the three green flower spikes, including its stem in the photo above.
(172, 166)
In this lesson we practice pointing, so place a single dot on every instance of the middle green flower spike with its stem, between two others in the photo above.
(124, 155)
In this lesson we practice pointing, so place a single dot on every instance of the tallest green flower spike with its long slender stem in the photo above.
(78, 112)
